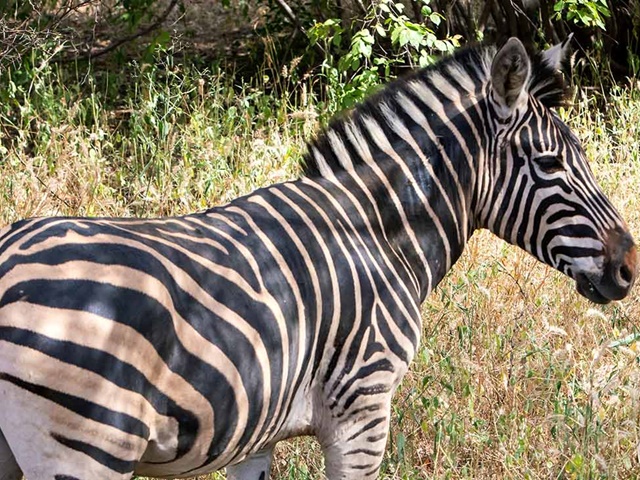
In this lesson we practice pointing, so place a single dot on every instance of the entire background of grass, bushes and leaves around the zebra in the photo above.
(163, 107)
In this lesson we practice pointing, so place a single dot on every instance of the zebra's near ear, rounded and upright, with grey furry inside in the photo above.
(509, 72)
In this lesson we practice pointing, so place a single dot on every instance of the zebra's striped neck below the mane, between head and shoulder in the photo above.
(417, 190)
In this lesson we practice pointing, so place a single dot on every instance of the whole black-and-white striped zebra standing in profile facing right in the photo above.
(178, 346)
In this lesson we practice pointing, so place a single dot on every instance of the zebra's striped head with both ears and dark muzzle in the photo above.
(540, 192)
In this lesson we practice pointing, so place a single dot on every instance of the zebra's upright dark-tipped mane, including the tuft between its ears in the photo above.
(468, 69)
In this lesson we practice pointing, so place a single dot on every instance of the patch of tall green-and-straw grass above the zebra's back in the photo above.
(147, 141)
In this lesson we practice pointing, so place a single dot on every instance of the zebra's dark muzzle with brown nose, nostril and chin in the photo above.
(618, 272)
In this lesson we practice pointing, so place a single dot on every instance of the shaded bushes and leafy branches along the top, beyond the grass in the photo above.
(356, 43)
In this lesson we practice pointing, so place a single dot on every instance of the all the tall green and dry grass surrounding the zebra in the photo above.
(517, 375)
